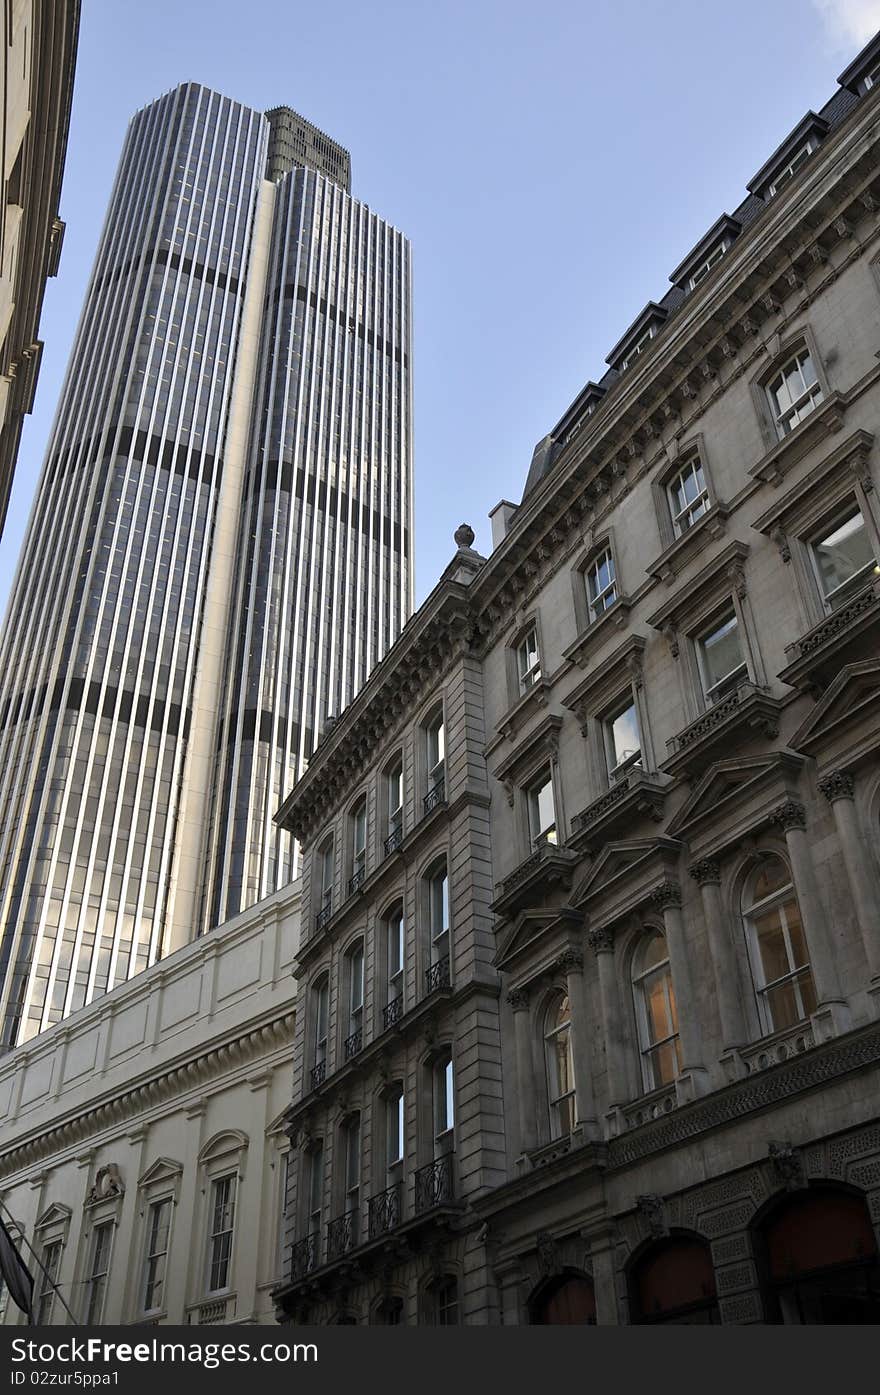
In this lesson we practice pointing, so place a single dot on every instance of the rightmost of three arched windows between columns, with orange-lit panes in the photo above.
(777, 947)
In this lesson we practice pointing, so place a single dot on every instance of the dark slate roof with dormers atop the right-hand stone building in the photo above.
(829, 116)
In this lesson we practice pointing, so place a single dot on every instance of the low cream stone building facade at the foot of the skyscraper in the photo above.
(144, 1152)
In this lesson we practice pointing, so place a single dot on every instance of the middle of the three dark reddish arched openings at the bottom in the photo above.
(674, 1281)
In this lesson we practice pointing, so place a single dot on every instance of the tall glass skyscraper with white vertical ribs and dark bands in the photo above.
(218, 553)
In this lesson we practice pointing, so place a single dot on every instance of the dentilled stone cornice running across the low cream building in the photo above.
(175, 1079)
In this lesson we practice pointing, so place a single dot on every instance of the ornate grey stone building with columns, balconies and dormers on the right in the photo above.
(588, 1019)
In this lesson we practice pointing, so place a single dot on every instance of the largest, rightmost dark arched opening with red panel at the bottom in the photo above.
(818, 1253)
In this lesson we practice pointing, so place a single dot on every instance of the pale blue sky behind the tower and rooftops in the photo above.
(552, 163)
